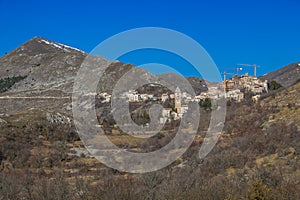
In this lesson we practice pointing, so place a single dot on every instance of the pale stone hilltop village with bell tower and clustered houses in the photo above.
(233, 89)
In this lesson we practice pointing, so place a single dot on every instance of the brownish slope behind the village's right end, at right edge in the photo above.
(286, 76)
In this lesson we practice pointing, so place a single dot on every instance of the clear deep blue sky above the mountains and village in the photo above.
(261, 32)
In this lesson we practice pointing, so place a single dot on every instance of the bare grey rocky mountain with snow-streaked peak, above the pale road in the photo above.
(45, 64)
